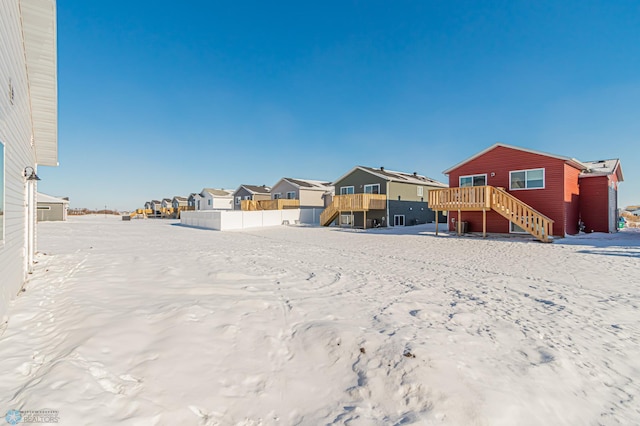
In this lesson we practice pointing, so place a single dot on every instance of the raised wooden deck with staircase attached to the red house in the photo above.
(484, 198)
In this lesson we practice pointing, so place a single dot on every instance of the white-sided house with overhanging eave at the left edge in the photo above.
(28, 131)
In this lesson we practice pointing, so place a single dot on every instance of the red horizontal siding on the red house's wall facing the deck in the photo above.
(497, 164)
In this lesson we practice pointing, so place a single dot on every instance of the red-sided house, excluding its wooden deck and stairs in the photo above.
(566, 191)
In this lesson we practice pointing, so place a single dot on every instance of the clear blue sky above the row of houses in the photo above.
(162, 98)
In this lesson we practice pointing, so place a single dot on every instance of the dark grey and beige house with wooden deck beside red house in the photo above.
(370, 197)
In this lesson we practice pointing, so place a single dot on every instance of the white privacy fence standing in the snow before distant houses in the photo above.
(224, 220)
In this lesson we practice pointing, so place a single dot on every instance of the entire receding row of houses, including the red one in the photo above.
(502, 189)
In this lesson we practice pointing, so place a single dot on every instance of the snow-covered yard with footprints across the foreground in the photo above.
(149, 322)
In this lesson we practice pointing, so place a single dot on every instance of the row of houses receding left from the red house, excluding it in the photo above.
(363, 197)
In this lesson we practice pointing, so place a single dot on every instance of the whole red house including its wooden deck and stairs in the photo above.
(508, 189)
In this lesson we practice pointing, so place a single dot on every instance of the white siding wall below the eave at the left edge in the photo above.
(15, 133)
